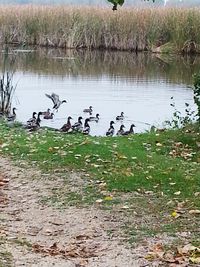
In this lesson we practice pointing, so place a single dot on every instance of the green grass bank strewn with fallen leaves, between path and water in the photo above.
(166, 163)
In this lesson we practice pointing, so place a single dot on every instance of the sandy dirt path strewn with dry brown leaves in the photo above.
(31, 231)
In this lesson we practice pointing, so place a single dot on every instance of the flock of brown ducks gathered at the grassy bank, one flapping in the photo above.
(33, 123)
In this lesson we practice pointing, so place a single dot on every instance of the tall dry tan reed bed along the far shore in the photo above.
(92, 27)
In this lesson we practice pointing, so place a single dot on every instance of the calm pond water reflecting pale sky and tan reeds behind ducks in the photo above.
(139, 85)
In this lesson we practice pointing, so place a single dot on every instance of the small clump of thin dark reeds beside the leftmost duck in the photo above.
(6, 93)
